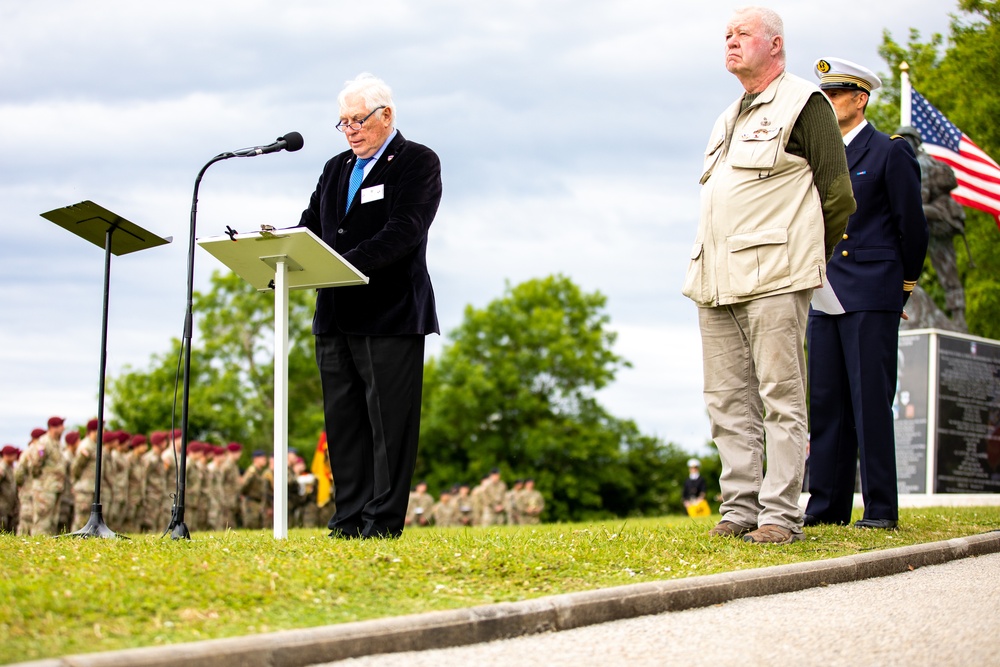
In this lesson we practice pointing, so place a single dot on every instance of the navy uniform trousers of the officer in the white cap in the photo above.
(852, 382)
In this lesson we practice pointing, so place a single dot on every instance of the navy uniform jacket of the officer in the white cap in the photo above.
(886, 237)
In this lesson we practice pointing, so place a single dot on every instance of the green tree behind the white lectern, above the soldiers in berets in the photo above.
(232, 373)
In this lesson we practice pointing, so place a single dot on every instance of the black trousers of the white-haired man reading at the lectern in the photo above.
(371, 399)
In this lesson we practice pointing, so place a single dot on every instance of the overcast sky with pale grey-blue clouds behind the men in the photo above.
(570, 136)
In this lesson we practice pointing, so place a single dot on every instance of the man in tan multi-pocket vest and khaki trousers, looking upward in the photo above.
(776, 196)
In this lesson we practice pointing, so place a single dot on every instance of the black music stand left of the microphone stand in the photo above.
(98, 225)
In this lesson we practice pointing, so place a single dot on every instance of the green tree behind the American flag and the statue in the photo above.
(961, 82)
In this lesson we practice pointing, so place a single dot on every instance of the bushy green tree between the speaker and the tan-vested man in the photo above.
(515, 388)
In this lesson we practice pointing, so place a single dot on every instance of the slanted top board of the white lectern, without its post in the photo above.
(310, 262)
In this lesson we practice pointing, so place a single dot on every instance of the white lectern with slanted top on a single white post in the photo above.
(281, 260)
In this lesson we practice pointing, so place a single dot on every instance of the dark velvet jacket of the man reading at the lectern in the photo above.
(386, 239)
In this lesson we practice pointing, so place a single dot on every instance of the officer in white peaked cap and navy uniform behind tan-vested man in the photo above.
(853, 325)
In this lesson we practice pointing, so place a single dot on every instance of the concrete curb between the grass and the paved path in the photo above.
(434, 630)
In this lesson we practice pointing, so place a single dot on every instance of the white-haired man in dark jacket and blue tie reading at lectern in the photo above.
(374, 205)
